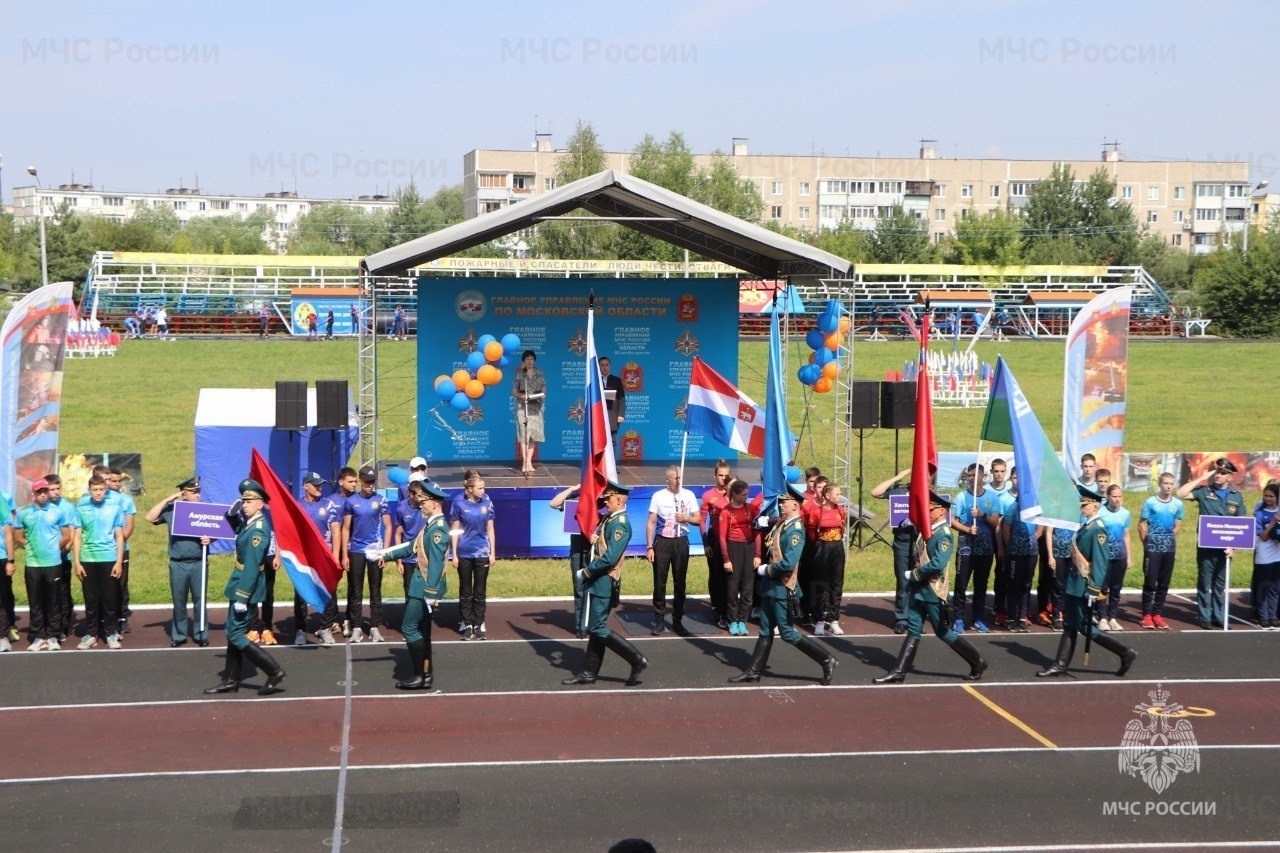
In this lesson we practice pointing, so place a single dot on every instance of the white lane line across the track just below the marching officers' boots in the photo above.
(587, 695)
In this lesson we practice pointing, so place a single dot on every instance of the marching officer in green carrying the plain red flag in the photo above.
(927, 596)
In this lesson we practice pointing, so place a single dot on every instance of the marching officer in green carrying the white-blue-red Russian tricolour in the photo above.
(602, 581)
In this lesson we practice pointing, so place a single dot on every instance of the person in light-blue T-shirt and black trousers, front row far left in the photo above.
(98, 549)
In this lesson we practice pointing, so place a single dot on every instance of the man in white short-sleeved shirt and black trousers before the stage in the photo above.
(671, 512)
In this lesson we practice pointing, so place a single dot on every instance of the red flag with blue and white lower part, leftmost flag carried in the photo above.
(303, 551)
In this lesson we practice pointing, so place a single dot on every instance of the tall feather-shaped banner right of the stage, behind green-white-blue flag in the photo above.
(1096, 380)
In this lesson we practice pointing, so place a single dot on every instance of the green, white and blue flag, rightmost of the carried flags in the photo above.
(1046, 492)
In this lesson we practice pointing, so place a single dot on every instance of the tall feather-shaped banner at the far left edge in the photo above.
(31, 377)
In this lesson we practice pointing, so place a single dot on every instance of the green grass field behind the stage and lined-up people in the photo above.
(144, 400)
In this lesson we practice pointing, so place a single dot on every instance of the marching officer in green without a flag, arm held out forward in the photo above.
(427, 585)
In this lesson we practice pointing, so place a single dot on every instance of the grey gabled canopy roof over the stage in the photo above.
(636, 204)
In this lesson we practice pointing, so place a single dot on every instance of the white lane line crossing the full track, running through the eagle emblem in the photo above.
(569, 763)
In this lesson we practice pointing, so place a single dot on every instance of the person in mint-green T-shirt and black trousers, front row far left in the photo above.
(44, 533)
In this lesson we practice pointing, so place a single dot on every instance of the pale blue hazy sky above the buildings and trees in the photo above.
(349, 99)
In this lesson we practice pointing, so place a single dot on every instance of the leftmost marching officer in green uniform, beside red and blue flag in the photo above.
(248, 587)
